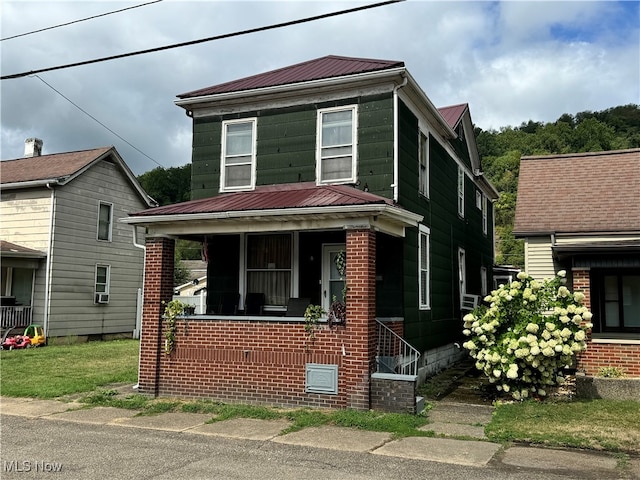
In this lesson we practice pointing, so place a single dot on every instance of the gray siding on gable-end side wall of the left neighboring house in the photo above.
(75, 253)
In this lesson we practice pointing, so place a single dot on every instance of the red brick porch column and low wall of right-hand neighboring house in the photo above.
(600, 354)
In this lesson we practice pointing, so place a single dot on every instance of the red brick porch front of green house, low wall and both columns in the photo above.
(261, 361)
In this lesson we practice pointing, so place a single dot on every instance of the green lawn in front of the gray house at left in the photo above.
(56, 370)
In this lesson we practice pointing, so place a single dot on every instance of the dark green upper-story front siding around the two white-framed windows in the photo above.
(286, 146)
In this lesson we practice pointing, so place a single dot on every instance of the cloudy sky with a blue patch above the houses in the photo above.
(511, 61)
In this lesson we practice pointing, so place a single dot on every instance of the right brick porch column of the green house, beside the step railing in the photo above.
(361, 315)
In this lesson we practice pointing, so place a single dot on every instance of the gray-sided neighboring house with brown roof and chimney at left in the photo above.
(67, 263)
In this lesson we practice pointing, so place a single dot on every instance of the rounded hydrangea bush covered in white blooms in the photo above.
(528, 331)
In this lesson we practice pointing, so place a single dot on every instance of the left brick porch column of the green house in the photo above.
(158, 287)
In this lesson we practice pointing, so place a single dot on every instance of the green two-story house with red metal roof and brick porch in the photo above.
(333, 182)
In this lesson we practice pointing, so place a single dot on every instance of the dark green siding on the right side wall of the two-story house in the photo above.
(426, 329)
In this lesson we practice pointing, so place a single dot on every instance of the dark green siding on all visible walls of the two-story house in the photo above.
(286, 153)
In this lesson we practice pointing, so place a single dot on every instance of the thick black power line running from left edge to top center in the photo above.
(203, 40)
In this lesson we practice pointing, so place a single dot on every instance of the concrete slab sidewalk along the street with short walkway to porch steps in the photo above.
(448, 420)
